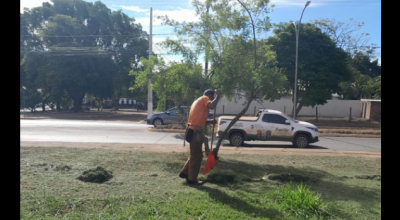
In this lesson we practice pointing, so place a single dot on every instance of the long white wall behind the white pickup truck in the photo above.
(334, 108)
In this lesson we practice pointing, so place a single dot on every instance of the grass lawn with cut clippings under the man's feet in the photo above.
(145, 185)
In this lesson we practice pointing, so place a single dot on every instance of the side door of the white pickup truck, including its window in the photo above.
(276, 128)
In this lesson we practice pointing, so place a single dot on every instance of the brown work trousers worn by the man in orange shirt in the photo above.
(193, 163)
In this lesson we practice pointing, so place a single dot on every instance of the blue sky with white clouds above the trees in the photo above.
(367, 11)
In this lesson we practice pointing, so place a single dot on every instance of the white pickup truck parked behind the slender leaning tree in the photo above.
(268, 125)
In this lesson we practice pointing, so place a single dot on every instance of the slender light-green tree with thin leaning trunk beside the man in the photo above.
(241, 66)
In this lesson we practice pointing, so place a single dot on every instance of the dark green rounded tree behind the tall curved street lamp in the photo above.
(321, 65)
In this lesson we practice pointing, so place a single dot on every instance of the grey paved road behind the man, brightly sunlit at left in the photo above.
(52, 130)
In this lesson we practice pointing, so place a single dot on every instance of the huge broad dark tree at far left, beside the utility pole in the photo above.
(71, 32)
